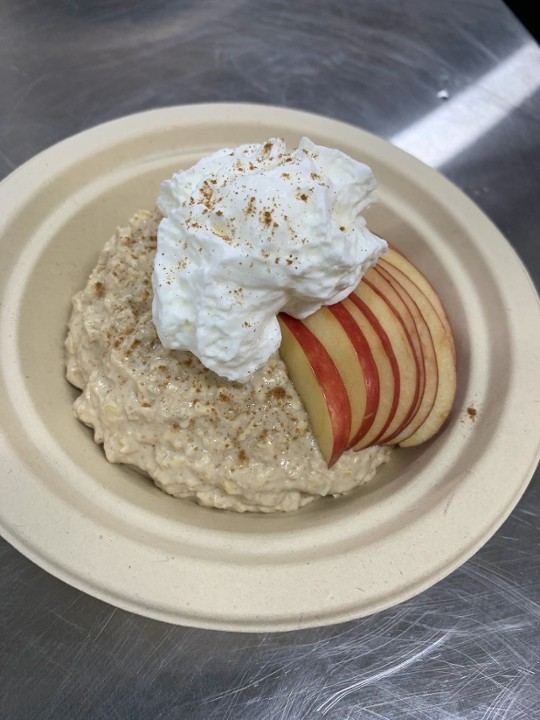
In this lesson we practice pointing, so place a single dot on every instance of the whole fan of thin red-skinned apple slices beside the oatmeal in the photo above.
(377, 368)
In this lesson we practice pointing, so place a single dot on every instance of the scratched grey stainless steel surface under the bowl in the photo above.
(468, 648)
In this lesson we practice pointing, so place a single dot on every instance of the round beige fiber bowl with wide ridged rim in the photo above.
(109, 532)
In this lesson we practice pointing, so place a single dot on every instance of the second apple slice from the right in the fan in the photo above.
(427, 354)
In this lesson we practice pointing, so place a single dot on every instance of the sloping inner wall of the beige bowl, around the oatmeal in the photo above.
(62, 268)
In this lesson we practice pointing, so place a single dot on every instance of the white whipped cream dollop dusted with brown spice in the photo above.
(252, 231)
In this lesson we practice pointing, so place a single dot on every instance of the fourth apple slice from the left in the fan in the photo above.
(384, 317)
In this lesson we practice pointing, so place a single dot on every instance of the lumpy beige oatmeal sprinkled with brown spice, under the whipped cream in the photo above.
(242, 447)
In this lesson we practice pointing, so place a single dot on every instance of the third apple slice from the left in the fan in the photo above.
(387, 370)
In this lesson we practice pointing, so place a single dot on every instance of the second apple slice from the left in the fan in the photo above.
(339, 344)
